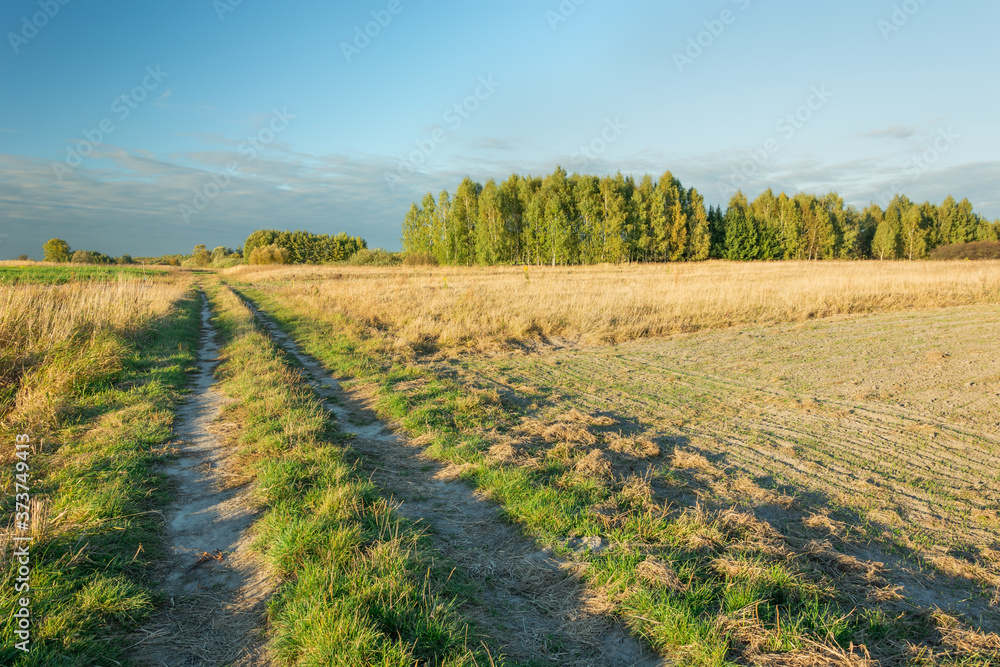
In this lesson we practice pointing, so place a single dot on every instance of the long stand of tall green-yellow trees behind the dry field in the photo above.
(581, 219)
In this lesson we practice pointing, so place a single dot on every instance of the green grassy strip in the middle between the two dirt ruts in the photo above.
(359, 586)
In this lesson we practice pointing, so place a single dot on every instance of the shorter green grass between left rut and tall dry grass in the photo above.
(95, 493)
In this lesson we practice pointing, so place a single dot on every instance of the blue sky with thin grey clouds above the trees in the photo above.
(203, 120)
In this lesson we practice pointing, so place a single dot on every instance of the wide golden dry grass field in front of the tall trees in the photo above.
(494, 308)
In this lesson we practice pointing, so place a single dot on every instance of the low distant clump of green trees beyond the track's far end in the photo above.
(299, 247)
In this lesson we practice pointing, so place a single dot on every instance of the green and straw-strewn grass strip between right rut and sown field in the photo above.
(705, 588)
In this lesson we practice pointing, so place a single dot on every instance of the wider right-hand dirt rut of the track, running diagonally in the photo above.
(530, 603)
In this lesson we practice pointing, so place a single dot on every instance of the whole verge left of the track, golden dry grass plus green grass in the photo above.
(104, 367)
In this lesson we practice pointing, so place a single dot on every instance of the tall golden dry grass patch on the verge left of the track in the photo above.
(57, 339)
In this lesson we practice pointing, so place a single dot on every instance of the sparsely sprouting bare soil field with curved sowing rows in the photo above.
(880, 433)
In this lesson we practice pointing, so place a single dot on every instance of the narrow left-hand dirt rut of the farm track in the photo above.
(216, 589)
